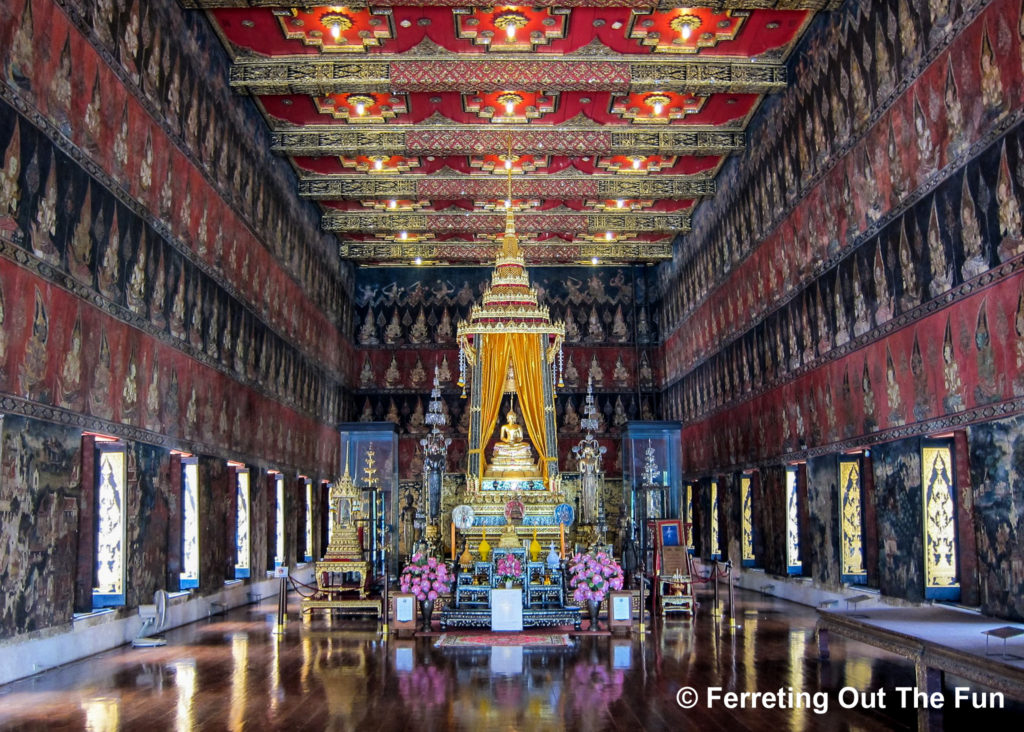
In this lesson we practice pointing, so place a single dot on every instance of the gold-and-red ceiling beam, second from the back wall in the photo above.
(488, 223)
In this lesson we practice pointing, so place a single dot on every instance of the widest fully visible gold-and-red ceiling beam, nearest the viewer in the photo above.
(303, 75)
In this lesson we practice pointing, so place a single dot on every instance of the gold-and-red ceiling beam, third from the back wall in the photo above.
(601, 187)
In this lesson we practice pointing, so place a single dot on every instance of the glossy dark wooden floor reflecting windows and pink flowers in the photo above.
(233, 673)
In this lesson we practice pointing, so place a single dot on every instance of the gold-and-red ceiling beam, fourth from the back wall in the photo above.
(454, 139)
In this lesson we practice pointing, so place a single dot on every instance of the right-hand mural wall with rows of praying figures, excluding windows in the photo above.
(792, 335)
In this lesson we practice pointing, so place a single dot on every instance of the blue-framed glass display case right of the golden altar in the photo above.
(653, 457)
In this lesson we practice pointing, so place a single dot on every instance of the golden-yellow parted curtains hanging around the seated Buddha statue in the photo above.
(526, 352)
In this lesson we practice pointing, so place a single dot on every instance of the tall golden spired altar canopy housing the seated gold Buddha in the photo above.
(513, 348)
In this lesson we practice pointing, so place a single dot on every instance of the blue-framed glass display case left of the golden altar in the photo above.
(370, 453)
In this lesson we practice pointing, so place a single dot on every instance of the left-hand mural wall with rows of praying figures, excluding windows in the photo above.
(161, 283)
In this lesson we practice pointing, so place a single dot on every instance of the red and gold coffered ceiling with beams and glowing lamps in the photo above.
(406, 122)
